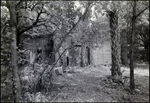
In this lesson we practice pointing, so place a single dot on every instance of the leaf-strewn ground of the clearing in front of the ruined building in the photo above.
(91, 84)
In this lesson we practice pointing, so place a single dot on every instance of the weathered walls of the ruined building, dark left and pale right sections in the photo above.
(72, 57)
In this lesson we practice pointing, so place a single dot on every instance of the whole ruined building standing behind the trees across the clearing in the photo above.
(77, 54)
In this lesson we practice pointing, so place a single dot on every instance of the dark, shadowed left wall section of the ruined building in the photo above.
(44, 43)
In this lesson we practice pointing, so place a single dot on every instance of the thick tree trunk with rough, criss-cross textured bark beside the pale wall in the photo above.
(115, 43)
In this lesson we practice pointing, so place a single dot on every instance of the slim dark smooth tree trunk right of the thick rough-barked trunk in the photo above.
(132, 85)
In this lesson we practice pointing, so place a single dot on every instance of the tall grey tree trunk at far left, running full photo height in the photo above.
(13, 23)
